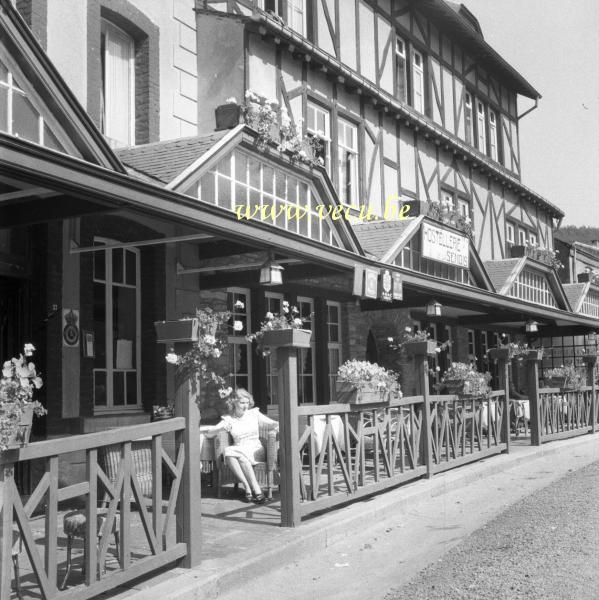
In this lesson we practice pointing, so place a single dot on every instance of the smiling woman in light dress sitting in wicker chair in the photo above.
(243, 423)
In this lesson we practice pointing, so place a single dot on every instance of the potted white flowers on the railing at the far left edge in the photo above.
(17, 406)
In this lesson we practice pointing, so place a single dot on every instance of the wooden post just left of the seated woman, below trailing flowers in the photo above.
(189, 502)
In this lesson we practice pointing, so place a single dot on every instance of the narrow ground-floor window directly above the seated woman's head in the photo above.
(240, 350)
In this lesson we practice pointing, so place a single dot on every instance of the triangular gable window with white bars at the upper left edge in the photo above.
(19, 117)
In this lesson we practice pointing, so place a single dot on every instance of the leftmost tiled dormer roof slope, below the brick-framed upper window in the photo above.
(165, 160)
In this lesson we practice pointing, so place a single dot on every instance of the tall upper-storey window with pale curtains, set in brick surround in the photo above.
(118, 85)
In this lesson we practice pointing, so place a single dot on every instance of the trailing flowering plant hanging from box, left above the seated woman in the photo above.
(204, 354)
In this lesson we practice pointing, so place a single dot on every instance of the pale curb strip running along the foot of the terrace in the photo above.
(213, 578)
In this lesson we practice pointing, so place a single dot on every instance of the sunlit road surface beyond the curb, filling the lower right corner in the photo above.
(507, 536)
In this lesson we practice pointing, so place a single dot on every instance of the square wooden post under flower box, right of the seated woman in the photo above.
(288, 435)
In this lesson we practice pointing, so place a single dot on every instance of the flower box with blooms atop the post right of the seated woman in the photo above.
(285, 329)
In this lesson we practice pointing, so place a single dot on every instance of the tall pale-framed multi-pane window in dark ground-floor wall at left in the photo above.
(109, 368)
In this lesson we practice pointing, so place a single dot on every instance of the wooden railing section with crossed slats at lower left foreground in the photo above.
(95, 487)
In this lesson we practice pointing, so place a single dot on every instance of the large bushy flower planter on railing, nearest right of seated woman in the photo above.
(360, 382)
